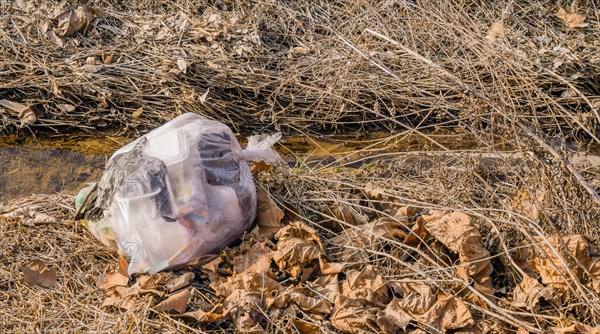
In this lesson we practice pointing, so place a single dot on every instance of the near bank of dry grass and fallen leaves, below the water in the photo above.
(382, 248)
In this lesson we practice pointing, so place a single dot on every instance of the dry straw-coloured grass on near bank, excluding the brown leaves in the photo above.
(327, 198)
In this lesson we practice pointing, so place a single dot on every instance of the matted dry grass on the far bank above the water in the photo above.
(311, 65)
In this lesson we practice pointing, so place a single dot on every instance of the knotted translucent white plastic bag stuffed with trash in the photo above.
(181, 191)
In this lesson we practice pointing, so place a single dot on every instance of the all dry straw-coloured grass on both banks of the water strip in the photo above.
(315, 66)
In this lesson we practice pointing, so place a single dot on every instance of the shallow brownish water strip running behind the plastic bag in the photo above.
(68, 163)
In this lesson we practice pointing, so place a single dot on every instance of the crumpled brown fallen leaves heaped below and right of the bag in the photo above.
(287, 277)
